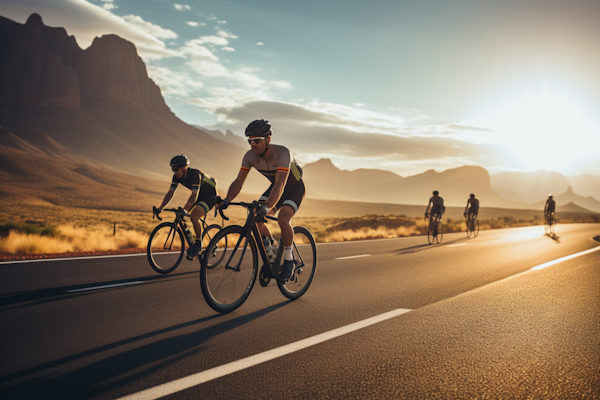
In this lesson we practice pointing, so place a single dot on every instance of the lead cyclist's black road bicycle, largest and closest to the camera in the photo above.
(227, 284)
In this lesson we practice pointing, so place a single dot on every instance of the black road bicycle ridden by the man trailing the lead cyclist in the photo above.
(166, 245)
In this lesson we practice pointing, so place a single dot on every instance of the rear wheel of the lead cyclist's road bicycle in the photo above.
(304, 250)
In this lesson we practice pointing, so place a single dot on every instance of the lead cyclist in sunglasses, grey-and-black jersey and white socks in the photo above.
(285, 193)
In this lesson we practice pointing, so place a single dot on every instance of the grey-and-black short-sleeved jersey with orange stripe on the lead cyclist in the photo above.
(280, 160)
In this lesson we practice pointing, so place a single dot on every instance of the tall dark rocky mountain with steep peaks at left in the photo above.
(96, 107)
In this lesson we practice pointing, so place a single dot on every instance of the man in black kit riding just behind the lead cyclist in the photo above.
(202, 199)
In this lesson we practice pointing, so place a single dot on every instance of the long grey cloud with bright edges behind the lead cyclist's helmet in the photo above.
(319, 129)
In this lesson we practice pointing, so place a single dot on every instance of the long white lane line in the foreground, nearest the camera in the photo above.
(235, 366)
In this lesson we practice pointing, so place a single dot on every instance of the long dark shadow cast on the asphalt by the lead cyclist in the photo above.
(120, 369)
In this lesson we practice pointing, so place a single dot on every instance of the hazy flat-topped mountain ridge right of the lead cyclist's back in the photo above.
(325, 180)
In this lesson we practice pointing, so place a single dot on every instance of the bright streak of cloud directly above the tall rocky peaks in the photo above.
(86, 21)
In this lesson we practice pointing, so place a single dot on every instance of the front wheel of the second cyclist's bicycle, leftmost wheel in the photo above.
(162, 251)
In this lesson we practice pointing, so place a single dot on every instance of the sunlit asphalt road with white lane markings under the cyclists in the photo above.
(469, 319)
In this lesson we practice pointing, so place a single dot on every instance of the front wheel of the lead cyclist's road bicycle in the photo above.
(226, 284)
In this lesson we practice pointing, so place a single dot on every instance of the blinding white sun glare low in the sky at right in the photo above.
(546, 130)
